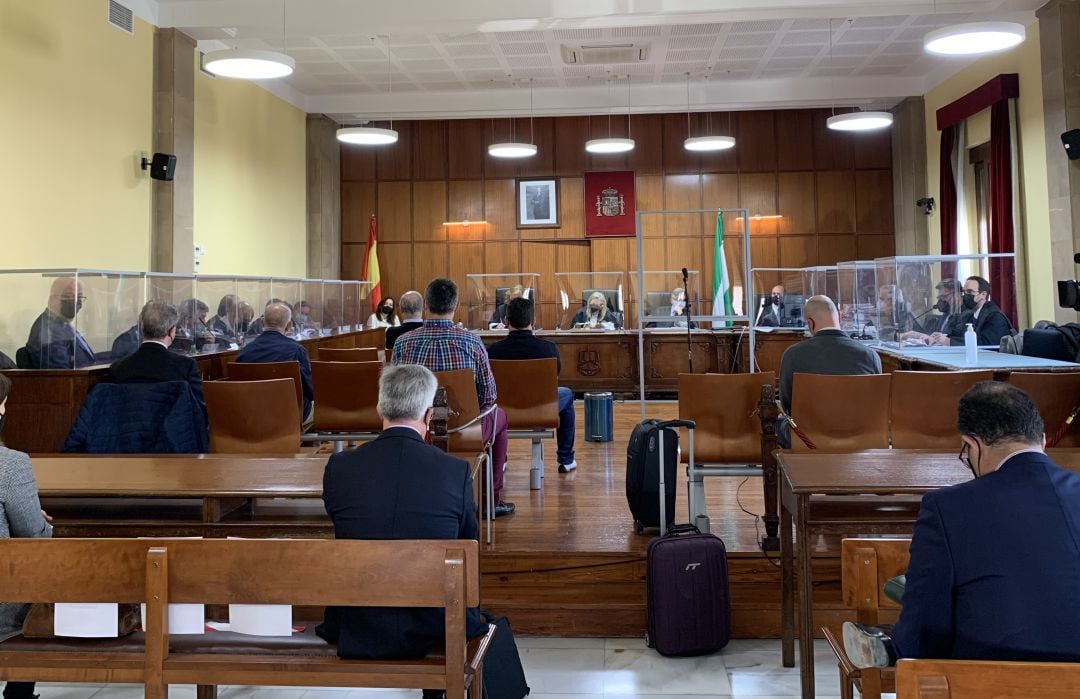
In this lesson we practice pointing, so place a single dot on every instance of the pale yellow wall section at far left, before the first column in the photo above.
(76, 98)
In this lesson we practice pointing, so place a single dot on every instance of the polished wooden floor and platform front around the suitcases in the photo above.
(569, 562)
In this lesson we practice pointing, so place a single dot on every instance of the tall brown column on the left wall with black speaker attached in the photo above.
(172, 248)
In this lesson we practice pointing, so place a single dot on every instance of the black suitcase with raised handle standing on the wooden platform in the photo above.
(652, 458)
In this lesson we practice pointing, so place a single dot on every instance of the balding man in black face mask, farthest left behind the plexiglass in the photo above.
(55, 343)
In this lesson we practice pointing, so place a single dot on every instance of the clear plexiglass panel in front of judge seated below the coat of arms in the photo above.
(591, 301)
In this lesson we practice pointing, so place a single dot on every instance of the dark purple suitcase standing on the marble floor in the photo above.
(688, 604)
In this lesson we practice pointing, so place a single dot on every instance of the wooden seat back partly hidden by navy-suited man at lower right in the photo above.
(866, 566)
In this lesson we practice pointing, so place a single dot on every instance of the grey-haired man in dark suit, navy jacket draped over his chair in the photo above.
(153, 362)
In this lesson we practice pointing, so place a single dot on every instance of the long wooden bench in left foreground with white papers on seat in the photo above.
(347, 573)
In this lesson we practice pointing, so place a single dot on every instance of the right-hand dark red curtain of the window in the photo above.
(1002, 240)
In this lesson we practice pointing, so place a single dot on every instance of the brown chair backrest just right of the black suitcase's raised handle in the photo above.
(725, 409)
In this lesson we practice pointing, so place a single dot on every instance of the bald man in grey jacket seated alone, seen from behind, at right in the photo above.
(829, 352)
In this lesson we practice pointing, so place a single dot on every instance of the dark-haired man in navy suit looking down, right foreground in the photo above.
(995, 562)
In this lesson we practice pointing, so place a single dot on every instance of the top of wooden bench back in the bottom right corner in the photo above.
(987, 680)
